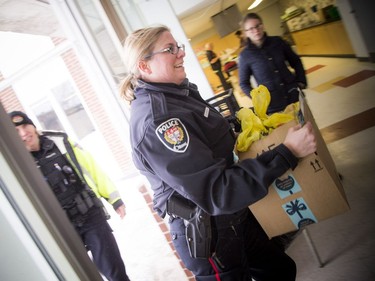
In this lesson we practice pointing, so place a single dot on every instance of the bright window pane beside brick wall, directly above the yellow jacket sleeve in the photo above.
(73, 108)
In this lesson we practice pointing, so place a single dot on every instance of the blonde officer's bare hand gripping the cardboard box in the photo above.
(301, 140)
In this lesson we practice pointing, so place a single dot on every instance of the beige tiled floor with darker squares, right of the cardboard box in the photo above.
(345, 113)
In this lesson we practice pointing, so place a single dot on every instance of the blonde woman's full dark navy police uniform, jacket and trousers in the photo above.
(183, 145)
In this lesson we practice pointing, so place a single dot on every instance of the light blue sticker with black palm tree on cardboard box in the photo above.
(299, 212)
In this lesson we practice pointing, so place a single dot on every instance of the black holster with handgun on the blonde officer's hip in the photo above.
(197, 225)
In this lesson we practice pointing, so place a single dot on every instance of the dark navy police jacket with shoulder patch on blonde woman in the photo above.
(182, 144)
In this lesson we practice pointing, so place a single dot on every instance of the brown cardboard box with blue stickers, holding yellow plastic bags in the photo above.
(311, 193)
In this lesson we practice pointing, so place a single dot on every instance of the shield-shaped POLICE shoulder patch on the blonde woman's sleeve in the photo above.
(172, 133)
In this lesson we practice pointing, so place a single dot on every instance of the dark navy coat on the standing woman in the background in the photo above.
(268, 65)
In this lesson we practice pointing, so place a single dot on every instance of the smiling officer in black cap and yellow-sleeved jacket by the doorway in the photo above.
(78, 183)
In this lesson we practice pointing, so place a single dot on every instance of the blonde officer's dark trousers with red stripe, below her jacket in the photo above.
(242, 252)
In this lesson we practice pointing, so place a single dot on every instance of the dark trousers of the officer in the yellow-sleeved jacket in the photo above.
(97, 236)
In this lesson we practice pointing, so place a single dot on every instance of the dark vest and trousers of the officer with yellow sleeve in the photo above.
(81, 205)
